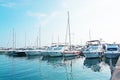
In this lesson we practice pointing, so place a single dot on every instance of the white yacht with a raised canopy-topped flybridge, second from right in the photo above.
(93, 49)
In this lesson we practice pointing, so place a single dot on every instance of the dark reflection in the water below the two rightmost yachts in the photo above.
(97, 64)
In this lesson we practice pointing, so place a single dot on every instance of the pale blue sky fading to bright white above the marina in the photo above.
(47, 20)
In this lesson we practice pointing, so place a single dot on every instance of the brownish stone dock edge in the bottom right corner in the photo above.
(116, 72)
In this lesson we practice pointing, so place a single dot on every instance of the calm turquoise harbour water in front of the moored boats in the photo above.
(39, 68)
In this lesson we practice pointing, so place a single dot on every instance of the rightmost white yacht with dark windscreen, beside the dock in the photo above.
(112, 51)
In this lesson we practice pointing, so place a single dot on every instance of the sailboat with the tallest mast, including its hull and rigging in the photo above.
(69, 51)
